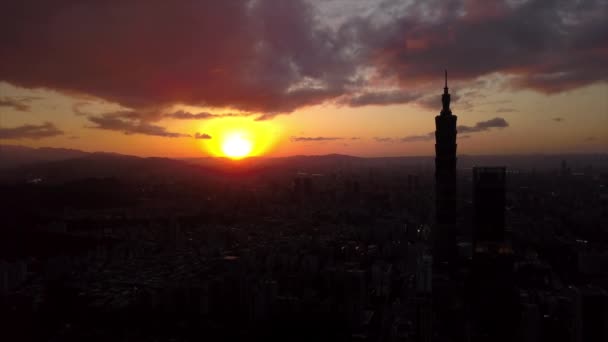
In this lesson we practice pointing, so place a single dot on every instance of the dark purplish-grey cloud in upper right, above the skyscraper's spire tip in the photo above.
(549, 46)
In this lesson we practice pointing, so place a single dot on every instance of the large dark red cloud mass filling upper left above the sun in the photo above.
(271, 57)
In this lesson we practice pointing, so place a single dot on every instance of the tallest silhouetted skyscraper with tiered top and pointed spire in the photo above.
(444, 232)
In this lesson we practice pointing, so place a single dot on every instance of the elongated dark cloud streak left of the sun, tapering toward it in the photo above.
(119, 123)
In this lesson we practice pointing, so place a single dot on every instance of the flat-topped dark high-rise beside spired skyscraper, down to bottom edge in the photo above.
(493, 293)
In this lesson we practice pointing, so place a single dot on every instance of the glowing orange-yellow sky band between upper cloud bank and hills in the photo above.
(583, 127)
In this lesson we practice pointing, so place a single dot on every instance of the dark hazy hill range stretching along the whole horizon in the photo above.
(54, 165)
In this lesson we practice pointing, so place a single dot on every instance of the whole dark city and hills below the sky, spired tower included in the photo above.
(328, 248)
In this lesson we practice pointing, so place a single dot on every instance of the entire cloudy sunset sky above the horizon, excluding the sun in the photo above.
(357, 77)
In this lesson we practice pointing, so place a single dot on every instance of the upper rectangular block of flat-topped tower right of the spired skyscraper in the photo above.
(489, 206)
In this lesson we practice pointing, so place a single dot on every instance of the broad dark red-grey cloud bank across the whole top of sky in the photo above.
(277, 56)
